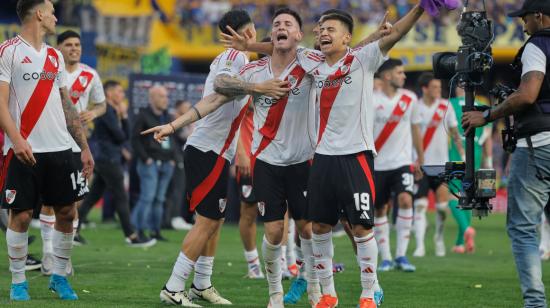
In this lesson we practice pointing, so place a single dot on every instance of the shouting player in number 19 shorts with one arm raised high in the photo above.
(340, 177)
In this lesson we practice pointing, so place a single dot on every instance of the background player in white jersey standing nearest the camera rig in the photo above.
(437, 117)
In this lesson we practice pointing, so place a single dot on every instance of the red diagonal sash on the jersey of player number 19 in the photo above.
(328, 95)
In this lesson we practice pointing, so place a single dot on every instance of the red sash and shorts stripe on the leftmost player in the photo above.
(36, 104)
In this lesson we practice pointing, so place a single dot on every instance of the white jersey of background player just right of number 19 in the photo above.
(392, 129)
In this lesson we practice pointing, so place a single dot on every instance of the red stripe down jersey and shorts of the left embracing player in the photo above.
(200, 192)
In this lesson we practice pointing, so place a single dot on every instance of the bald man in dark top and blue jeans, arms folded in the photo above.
(155, 165)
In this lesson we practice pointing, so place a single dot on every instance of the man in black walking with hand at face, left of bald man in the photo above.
(111, 131)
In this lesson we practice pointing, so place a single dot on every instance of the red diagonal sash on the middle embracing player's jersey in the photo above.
(275, 115)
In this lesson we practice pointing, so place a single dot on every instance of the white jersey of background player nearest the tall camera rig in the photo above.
(435, 122)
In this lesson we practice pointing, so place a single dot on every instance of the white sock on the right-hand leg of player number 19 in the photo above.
(367, 250)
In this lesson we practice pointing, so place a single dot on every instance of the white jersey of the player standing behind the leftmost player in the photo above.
(84, 88)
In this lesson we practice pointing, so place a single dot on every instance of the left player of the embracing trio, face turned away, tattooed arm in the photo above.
(208, 151)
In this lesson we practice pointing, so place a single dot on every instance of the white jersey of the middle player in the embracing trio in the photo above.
(284, 129)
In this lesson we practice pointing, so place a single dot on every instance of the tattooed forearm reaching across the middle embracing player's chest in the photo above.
(233, 87)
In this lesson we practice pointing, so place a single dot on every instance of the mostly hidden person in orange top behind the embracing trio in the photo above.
(249, 210)
